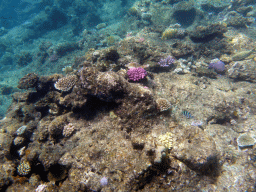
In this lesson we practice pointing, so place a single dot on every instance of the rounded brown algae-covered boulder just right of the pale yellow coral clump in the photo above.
(196, 149)
